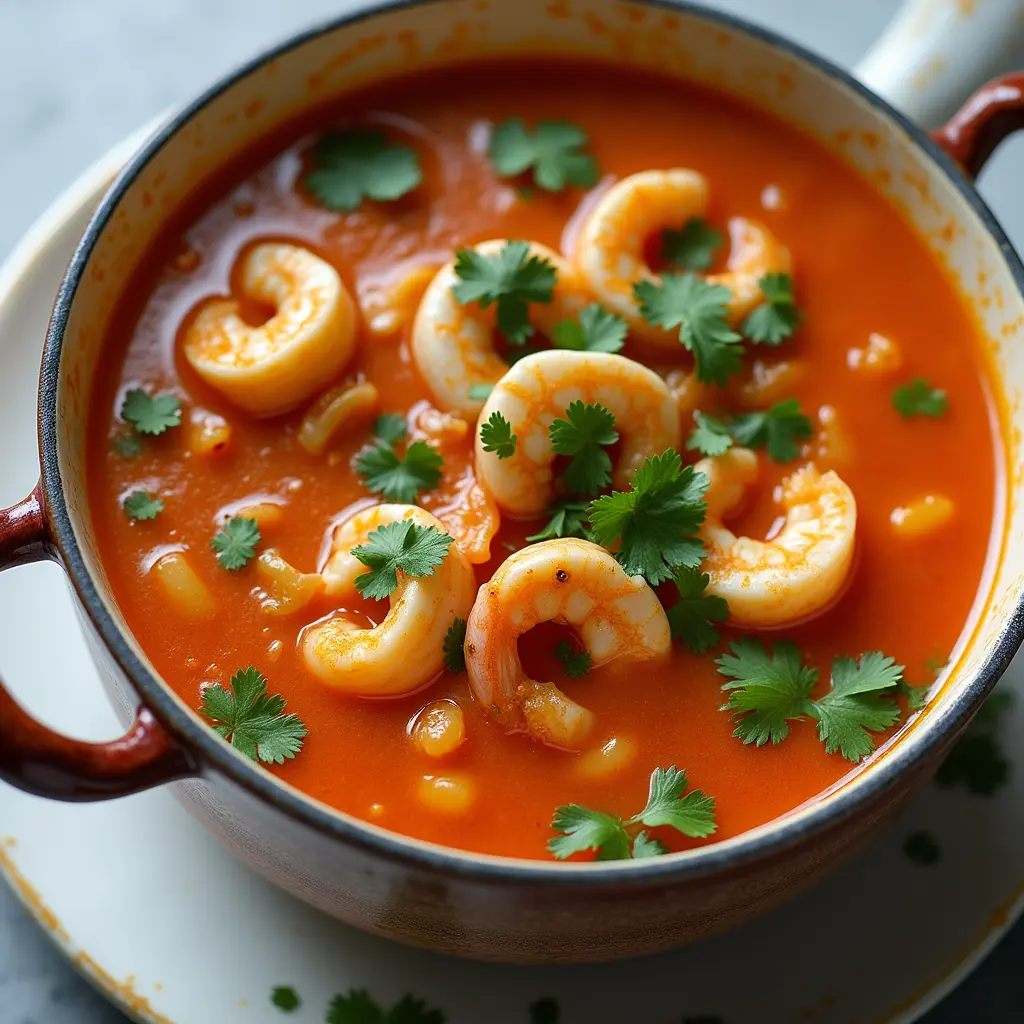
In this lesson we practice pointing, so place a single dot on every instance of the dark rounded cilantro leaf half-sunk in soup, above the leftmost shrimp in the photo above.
(352, 166)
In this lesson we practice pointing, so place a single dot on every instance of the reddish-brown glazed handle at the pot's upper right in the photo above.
(995, 112)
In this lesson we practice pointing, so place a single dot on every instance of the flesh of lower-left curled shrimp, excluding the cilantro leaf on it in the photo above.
(405, 652)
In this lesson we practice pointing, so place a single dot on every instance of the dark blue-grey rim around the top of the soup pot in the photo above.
(211, 752)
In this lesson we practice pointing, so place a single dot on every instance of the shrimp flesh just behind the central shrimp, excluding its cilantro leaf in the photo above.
(454, 346)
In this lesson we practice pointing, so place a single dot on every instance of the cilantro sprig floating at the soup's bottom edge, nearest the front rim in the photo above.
(668, 805)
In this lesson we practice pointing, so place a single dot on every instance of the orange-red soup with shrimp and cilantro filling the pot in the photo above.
(483, 458)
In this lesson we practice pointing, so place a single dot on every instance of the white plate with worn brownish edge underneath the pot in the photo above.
(175, 930)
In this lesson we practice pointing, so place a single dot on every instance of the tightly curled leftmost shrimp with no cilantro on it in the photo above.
(302, 349)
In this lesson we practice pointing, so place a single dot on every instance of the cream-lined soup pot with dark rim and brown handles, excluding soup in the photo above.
(452, 902)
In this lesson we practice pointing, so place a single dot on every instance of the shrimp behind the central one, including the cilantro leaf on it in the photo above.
(454, 344)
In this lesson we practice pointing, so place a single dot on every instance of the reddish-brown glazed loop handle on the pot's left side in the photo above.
(44, 762)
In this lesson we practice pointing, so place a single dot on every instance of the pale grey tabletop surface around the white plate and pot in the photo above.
(78, 75)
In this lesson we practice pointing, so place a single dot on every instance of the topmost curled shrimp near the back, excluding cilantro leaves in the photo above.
(611, 251)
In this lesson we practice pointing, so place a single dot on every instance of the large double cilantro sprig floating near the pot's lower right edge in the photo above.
(767, 692)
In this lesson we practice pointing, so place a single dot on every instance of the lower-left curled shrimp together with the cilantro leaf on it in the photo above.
(430, 583)
